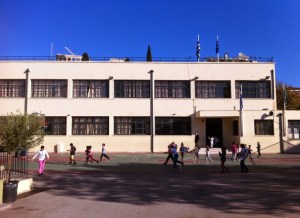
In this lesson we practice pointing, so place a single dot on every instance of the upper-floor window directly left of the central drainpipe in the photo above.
(132, 89)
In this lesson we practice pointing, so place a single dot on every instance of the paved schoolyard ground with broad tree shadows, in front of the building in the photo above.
(139, 185)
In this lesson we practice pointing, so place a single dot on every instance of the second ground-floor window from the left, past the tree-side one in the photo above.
(90, 126)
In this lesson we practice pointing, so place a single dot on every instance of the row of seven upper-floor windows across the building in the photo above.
(135, 89)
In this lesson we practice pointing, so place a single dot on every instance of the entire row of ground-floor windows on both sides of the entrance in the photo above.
(141, 126)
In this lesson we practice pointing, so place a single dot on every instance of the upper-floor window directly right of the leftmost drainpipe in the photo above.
(49, 88)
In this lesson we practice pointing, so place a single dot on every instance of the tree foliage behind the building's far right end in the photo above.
(292, 98)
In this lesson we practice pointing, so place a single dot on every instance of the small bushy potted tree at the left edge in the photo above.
(20, 132)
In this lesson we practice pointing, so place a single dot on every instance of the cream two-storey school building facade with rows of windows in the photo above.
(143, 106)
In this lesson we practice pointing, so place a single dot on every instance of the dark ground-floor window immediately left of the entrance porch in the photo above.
(173, 126)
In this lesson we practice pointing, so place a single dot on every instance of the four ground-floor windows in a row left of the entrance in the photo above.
(122, 125)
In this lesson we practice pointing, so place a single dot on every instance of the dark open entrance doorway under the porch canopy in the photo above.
(214, 128)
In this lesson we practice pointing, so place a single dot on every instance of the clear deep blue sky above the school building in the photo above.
(124, 28)
